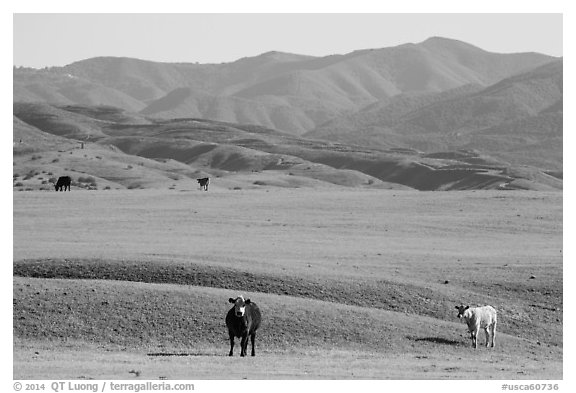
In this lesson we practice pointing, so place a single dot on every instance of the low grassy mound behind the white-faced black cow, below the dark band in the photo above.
(171, 318)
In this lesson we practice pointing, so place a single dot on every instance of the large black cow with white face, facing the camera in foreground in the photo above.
(242, 321)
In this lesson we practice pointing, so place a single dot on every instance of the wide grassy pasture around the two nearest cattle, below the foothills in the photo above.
(352, 283)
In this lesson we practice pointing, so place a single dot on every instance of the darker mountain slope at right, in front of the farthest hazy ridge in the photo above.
(519, 114)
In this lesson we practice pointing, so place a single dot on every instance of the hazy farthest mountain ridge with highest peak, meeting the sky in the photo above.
(284, 91)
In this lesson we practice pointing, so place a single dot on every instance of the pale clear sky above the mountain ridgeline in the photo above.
(57, 39)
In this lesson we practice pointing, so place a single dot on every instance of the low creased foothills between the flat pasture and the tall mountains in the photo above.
(133, 152)
